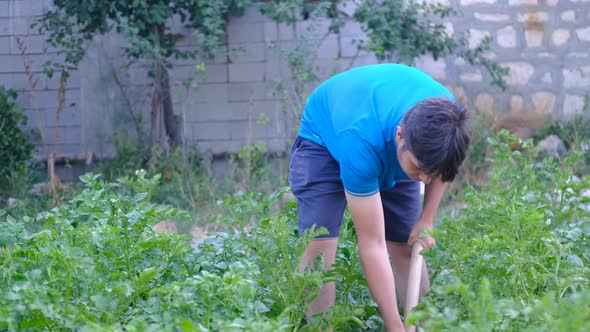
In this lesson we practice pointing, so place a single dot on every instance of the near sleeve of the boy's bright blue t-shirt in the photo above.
(360, 165)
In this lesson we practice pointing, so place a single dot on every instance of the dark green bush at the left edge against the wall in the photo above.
(15, 149)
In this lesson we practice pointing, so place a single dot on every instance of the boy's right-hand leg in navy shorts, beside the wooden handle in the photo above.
(402, 206)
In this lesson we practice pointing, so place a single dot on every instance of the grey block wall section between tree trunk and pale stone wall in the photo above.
(222, 114)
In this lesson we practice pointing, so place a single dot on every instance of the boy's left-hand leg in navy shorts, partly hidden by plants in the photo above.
(314, 177)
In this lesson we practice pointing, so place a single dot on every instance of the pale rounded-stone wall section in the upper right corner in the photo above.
(546, 45)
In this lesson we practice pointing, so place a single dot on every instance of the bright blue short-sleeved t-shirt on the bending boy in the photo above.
(355, 115)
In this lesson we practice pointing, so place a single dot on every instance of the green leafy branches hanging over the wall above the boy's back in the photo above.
(398, 31)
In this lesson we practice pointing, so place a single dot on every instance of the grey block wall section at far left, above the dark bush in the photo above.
(20, 46)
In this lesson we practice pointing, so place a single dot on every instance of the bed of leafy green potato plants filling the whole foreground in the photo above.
(516, 258)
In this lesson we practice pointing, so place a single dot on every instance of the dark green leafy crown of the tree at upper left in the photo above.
(70, 24)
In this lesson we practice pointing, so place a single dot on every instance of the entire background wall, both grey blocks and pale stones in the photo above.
(545, 43)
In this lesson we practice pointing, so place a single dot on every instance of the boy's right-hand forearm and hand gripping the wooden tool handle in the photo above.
(433, 193)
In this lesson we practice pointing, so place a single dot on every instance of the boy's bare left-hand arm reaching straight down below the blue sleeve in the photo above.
(367, 215)
